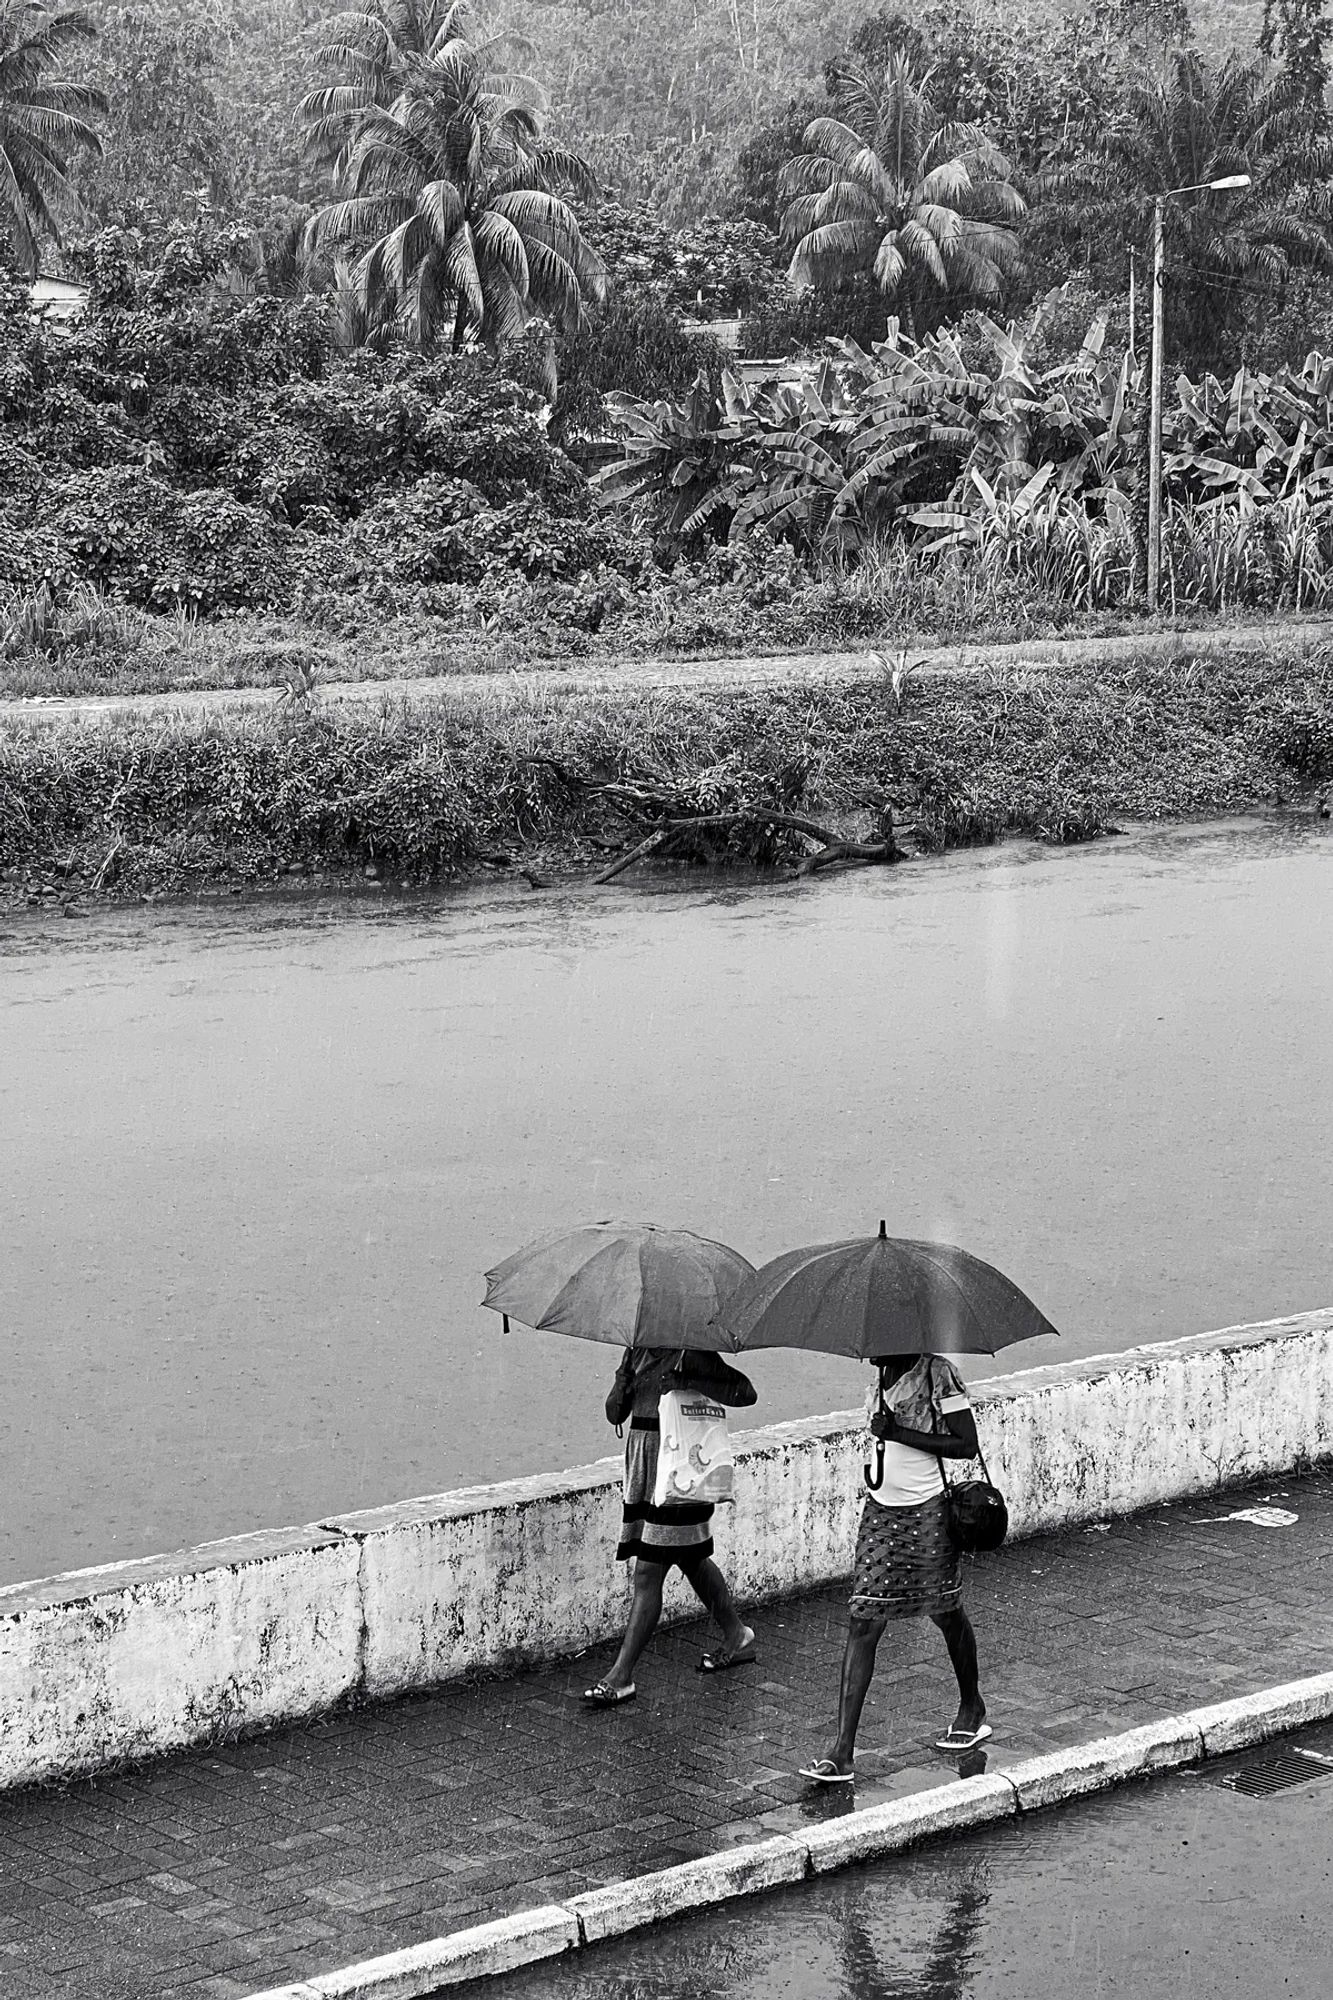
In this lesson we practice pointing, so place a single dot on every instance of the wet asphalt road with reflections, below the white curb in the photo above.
(1170, 1891)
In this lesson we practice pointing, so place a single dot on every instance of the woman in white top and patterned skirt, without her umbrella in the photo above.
(908, 1565)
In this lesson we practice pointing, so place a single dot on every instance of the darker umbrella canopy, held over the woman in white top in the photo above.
(882, 1295)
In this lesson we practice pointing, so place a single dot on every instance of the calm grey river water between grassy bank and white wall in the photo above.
(259, 1157)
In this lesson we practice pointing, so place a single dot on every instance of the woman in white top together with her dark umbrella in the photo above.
(906, 1307)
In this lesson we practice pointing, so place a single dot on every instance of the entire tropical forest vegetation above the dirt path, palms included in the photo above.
(367, 289)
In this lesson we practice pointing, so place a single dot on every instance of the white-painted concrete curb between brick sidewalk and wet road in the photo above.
(858, 1837)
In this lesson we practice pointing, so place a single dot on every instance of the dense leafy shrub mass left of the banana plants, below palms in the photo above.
(167, 449)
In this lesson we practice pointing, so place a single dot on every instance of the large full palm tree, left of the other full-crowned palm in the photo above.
(453, 203)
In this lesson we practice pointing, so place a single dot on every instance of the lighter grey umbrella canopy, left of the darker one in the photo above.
(625, 1283)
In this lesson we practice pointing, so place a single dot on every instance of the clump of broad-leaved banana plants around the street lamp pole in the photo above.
(1032, 467)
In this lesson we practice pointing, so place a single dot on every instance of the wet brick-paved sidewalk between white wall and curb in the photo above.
(223, 1873)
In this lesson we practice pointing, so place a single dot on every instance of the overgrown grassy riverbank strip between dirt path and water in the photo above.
(457, 785)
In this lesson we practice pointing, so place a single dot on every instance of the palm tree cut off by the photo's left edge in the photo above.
(41, 123)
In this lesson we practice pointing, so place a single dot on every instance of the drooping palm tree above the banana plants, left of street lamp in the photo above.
(900, 193)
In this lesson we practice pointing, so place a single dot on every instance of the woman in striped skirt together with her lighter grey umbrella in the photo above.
(655, 1293)
